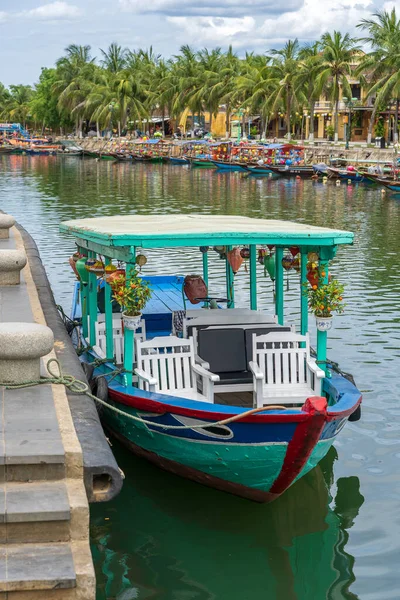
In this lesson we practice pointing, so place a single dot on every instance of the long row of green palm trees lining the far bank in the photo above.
(126, 90)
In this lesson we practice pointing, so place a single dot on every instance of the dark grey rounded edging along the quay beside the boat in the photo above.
(102, 477)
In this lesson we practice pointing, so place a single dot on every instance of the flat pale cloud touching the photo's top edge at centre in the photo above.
(207, 8)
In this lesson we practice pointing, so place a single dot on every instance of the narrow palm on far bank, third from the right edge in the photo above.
(309, 67)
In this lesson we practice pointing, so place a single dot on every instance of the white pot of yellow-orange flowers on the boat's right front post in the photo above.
(324, 300)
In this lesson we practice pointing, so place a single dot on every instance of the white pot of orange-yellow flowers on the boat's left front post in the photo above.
(132, 294)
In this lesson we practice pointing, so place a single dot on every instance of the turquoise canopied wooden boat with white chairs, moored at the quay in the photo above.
(177, 397)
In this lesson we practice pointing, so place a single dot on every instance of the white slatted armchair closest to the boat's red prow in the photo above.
(283, 371)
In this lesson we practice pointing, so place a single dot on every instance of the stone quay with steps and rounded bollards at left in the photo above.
(54, 457)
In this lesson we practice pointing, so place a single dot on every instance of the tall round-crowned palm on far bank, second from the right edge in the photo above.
(338, 57)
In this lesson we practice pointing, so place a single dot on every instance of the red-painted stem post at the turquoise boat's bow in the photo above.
(302, 444)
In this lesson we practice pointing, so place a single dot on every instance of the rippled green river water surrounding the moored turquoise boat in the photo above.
(336, 533)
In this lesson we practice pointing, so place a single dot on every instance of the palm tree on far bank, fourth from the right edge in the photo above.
(284, 70)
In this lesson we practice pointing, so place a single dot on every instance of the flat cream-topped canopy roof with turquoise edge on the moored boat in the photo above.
(174, 230)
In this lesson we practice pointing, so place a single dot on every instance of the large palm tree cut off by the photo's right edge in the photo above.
(383, 63)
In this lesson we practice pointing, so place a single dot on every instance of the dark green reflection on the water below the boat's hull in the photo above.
(167, 538)
